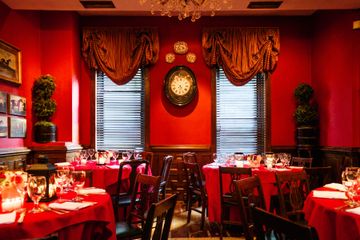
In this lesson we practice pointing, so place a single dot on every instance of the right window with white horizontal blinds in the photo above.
(240, 115)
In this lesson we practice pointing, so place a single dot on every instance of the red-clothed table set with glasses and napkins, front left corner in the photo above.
(24, 210)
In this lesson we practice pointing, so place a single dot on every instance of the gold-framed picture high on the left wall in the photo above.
(10, 63)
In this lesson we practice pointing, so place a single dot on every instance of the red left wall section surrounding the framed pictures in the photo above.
(21, 29)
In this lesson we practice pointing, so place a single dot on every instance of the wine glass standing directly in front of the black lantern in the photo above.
(36, 189)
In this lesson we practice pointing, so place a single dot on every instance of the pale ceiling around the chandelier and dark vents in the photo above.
(133, 7)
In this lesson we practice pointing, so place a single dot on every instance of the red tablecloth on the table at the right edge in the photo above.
(329, 222)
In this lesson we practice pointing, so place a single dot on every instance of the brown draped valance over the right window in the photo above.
(242, 52)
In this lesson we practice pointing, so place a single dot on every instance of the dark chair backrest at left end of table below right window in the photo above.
(194, 177)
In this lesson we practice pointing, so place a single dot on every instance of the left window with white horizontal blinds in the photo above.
(119, 113)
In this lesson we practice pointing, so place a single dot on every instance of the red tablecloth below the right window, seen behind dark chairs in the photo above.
(211, 174)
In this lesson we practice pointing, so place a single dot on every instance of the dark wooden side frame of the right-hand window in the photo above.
(213, 111)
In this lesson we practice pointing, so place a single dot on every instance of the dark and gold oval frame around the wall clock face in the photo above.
(180, 100)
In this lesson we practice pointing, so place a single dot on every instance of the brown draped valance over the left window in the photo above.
(119, 52)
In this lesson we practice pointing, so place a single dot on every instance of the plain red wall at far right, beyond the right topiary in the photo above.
(336, 78)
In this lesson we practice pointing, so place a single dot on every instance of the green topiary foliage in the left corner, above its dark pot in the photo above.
(43, 106)
